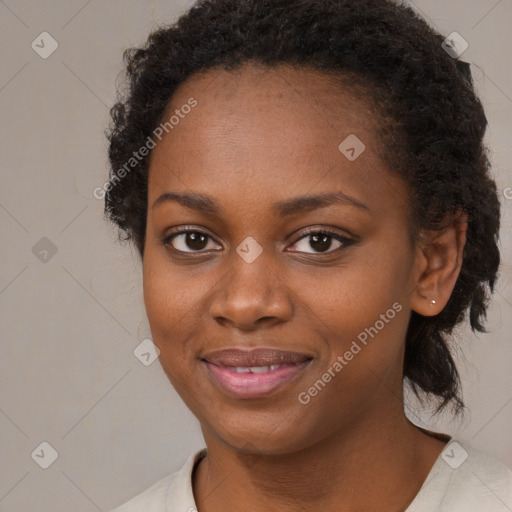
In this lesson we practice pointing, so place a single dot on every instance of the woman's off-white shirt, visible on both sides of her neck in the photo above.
(461, 480)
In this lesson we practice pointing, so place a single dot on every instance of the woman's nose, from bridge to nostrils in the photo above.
(251, 294)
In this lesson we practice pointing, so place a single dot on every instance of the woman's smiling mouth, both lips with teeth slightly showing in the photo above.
(257, 373)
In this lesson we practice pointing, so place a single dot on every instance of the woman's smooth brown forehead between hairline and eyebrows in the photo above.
(275, 129)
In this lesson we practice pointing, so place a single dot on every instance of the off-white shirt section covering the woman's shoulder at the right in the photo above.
(464, 479)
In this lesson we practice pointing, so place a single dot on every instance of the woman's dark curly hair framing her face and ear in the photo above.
(431, 126)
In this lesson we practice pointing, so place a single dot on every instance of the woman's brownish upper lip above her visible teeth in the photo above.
(263, 356)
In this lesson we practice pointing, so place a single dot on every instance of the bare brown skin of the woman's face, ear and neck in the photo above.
(258, 136)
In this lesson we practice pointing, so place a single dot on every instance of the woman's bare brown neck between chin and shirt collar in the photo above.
(376, 465)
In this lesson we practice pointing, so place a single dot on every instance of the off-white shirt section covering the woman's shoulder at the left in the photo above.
(174, 490)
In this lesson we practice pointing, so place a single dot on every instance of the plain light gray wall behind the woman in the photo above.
(71, 320)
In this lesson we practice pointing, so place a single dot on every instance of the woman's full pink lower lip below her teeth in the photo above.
(253, 385)
